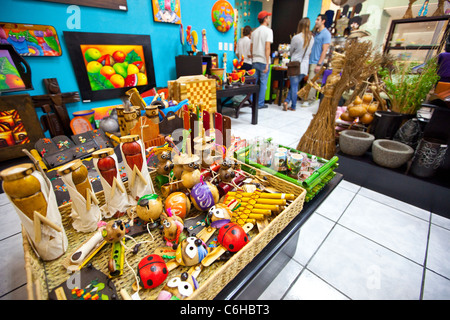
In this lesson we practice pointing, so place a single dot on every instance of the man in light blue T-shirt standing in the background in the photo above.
(322, 40)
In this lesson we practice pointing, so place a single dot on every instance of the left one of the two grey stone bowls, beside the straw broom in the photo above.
(355, 143)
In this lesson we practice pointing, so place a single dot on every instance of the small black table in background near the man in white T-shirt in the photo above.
(236, 90)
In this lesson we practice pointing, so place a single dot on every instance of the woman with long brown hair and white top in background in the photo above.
(301, 45)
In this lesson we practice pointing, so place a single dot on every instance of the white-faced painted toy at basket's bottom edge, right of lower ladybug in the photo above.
(182, 286)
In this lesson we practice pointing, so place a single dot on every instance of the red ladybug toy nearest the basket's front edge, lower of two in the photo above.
(152, 271)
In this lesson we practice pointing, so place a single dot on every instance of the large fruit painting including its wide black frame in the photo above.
(107, 65)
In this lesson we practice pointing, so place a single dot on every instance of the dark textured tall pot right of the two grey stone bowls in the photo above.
(429, 156)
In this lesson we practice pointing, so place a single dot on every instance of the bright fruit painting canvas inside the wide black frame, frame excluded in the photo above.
(114, 66)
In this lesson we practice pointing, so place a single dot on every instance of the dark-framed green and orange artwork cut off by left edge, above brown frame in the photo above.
(15, 73)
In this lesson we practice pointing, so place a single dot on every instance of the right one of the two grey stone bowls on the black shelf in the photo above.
(391, 154)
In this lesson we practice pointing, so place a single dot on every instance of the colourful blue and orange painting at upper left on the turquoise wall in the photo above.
(31, 40)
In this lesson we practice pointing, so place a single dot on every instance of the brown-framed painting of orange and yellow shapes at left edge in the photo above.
(19, 126)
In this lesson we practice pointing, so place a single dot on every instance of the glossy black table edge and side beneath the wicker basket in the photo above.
(251, 282)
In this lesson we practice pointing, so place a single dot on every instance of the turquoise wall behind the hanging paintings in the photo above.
(165, 37)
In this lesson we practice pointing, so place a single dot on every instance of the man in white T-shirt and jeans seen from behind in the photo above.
(262, 38)
